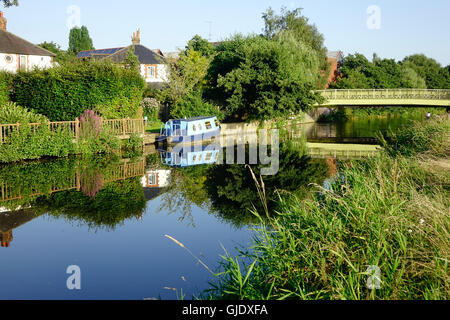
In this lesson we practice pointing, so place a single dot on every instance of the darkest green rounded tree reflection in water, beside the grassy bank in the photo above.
(233, 192)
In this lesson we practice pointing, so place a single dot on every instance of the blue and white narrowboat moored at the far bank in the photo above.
(187, 130)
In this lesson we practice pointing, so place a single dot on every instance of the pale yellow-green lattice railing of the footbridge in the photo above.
(379, 94)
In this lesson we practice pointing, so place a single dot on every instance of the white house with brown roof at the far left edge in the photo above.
(18, 54)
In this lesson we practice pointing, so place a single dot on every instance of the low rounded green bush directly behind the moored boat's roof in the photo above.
(193, 106)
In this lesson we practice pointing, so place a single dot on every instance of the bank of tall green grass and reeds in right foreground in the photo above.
(389, 214)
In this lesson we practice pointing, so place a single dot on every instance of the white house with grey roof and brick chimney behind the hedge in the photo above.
(153, 63)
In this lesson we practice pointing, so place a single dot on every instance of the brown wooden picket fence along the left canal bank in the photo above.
(118, 127)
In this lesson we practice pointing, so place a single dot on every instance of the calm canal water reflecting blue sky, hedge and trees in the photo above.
(110, 217)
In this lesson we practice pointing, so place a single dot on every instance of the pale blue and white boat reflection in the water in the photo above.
(190, 155)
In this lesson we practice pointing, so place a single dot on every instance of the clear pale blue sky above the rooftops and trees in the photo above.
(406, 27)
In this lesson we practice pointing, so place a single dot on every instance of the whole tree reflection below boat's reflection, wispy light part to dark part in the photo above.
(230, 193)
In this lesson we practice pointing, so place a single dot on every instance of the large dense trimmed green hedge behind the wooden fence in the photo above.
(64, 92)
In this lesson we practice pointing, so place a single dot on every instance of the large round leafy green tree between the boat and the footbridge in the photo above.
(258, 78)
